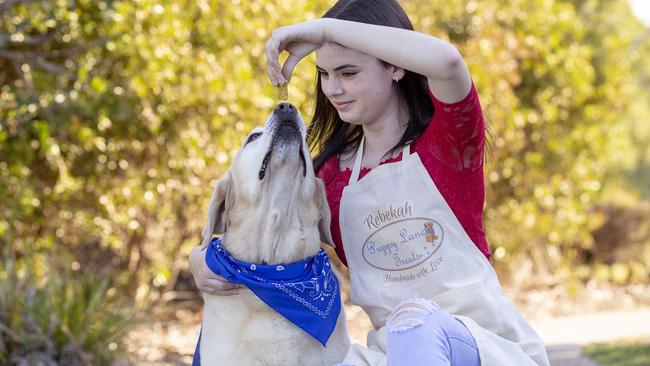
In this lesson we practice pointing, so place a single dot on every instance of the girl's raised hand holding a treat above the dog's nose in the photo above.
(299, 40)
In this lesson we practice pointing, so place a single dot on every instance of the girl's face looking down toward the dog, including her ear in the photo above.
(359, 86)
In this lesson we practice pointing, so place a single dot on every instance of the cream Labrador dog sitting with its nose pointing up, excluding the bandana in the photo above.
(269, 209)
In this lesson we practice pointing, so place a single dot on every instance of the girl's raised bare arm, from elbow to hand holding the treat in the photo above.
(439, 61)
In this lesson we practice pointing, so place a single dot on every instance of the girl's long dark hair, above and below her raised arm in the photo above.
(328, 134)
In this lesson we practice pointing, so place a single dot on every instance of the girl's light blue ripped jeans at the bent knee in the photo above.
(421, 333)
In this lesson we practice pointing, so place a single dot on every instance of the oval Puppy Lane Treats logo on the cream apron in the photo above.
(403, 244)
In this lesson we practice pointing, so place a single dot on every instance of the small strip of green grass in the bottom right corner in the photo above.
(620, 354)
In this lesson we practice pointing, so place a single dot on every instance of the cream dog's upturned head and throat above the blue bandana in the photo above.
(269, 206)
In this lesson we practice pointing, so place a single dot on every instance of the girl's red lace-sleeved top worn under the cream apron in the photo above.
(451, 149)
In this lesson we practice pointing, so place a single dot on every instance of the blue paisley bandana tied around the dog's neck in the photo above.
(305, 292)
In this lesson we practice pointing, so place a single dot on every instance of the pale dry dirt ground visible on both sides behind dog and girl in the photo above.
(170, 334)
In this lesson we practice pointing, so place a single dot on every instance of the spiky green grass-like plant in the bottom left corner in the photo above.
(66, 317)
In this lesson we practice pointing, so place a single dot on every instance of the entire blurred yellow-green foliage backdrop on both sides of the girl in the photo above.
(117, 117)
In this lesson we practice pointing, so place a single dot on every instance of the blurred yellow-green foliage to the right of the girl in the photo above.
(557, 81)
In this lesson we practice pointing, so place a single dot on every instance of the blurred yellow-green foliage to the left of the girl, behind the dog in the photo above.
(120, 146)
